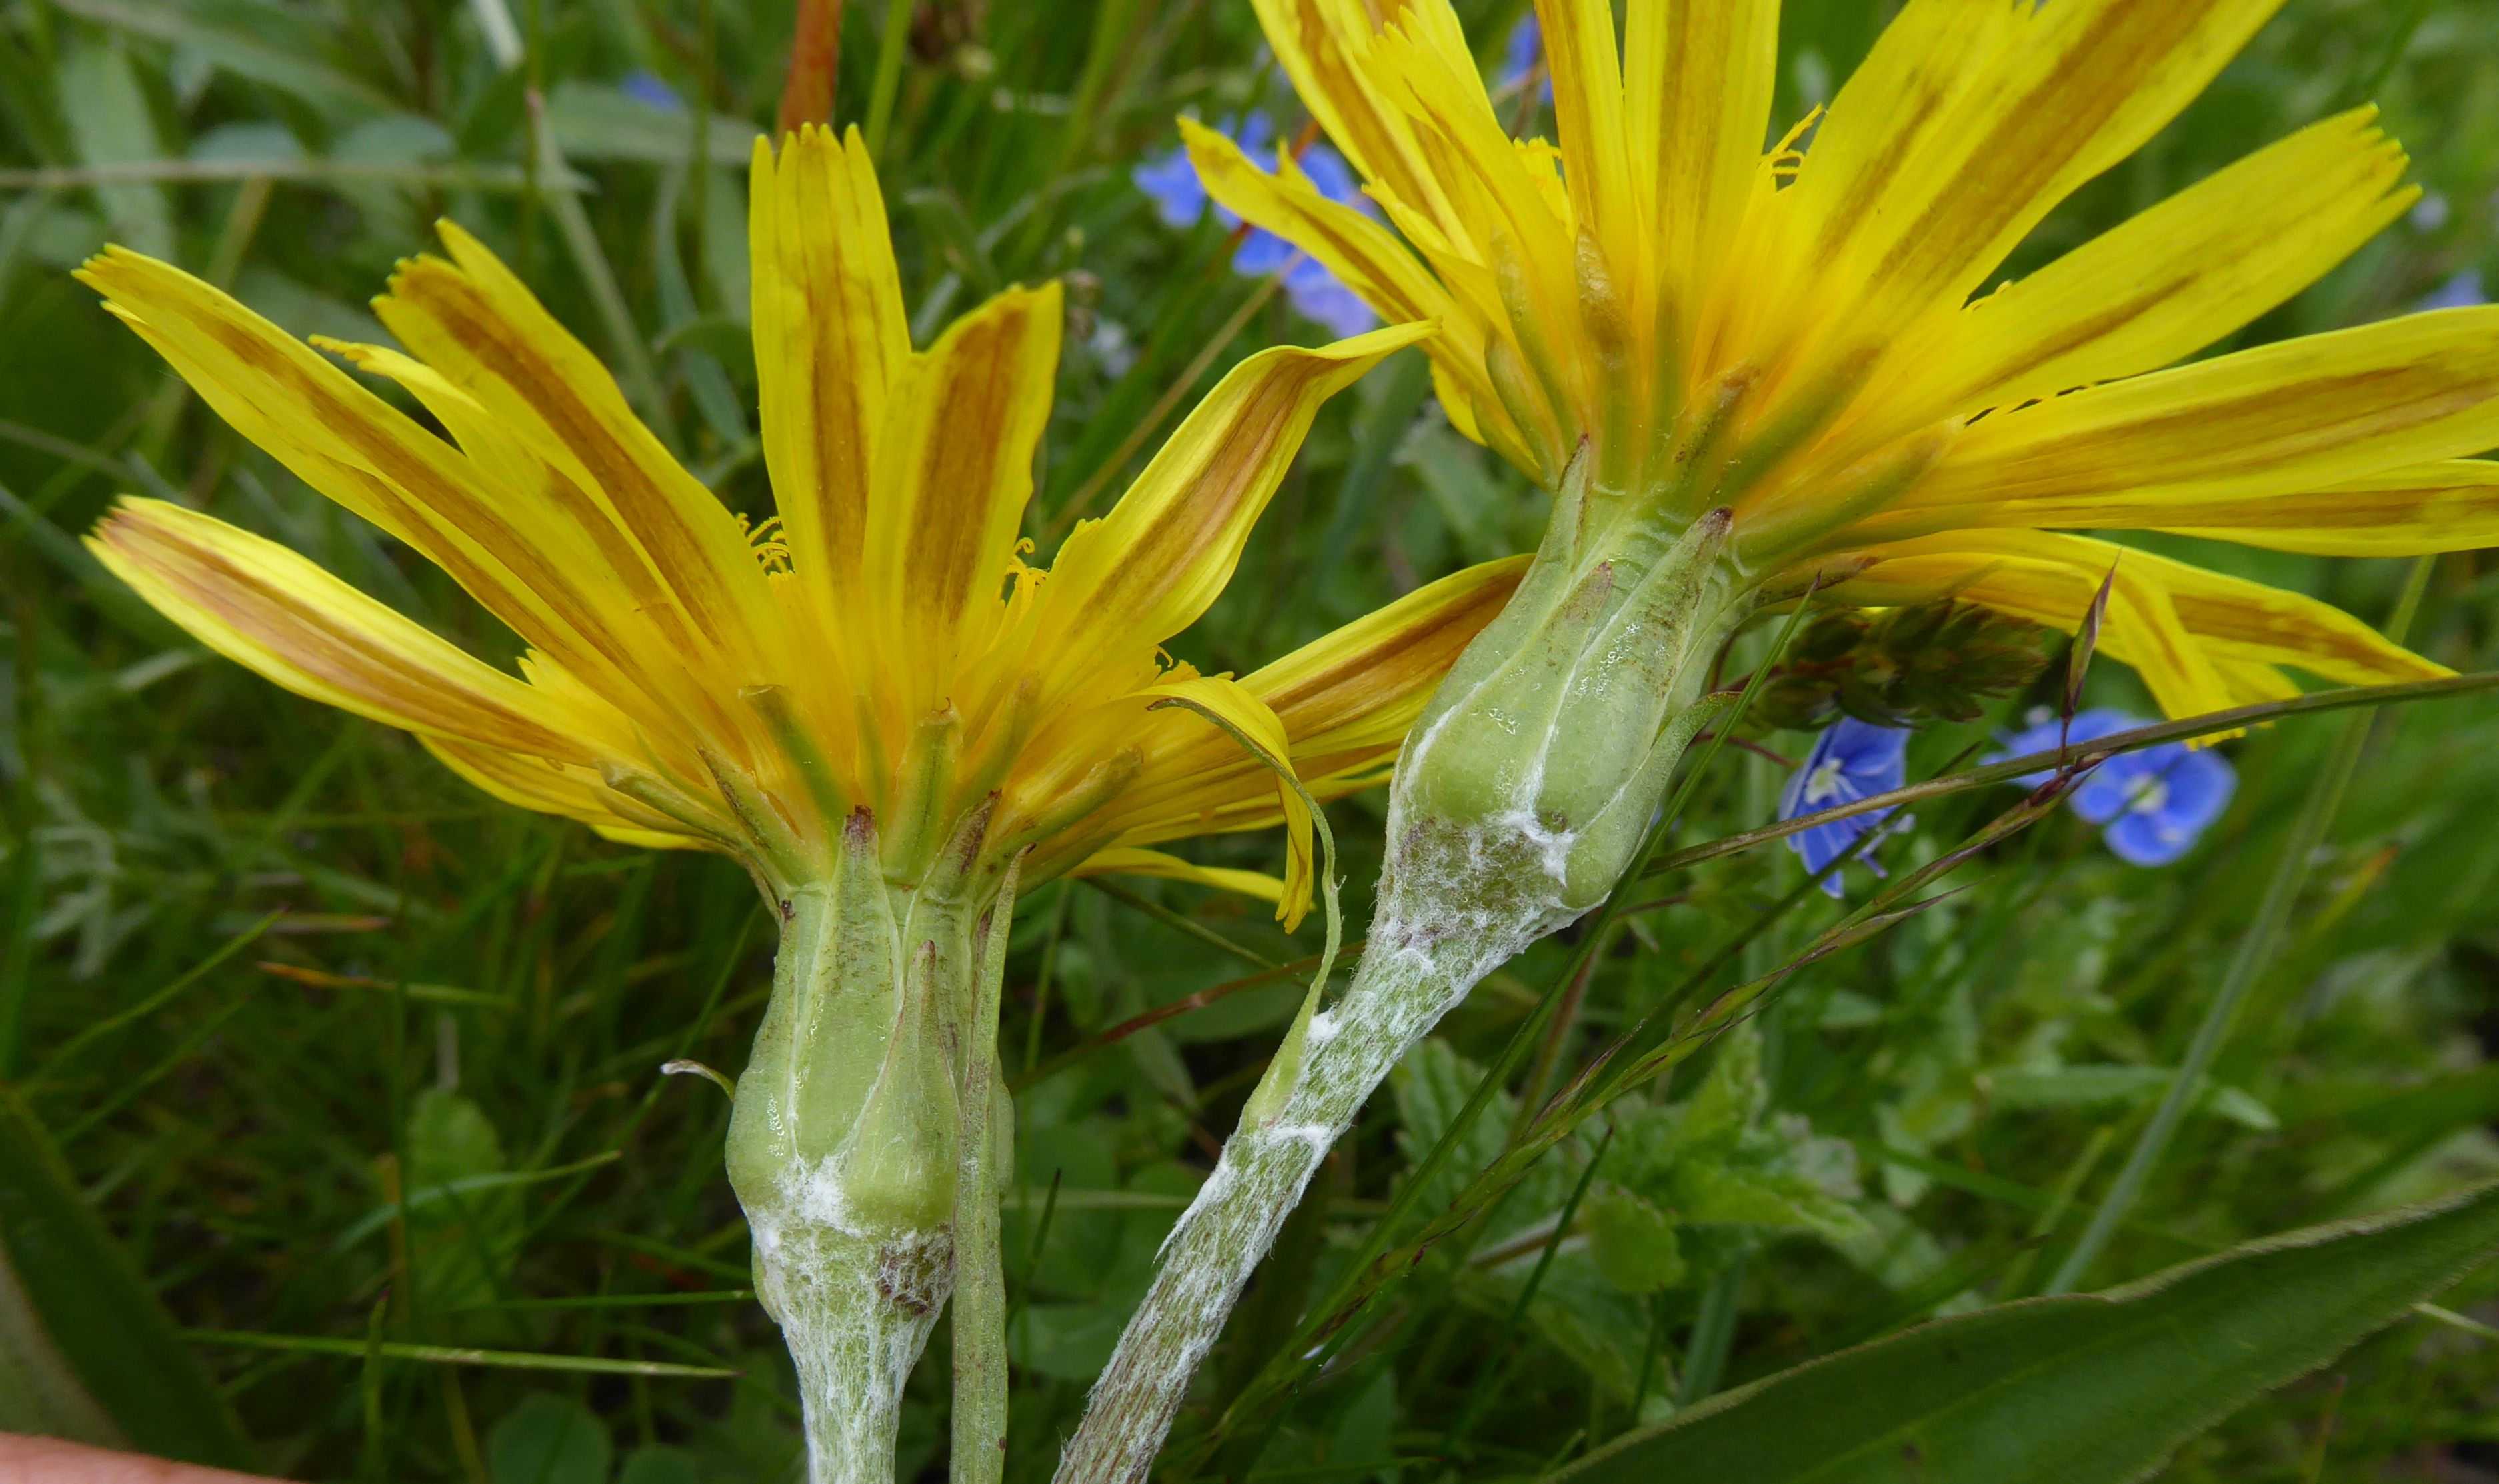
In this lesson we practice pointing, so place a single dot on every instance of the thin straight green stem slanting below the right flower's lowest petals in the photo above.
(2255, 951)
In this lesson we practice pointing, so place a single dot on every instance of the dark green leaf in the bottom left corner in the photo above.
(94, 1325)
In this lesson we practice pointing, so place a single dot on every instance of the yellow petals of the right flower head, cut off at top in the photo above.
(1801, 336)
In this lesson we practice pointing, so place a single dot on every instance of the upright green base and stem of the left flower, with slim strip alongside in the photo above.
(866, 1148)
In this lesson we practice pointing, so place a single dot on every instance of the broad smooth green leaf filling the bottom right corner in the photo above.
(2080, 1390)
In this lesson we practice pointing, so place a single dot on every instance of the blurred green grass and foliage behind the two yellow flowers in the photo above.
(356, 1063)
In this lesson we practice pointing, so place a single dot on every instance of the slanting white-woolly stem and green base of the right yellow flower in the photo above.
(1608, 643)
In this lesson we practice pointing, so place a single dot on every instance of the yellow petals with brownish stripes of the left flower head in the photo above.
(878, 656)
